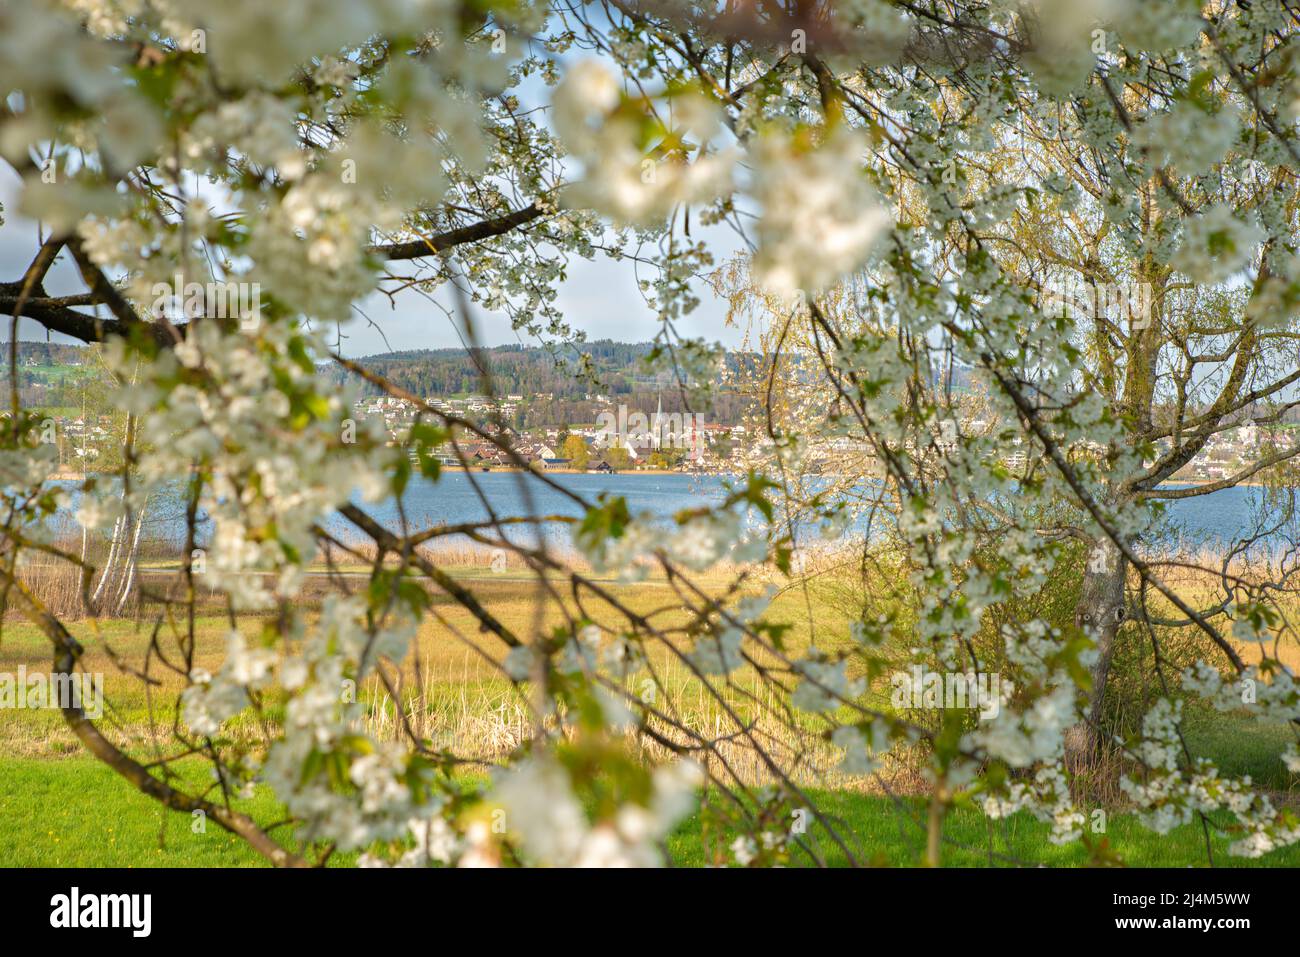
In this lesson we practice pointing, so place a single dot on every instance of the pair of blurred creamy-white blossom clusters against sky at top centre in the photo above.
(820, 219)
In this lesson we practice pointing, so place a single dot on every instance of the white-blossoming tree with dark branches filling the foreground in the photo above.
(905, 179)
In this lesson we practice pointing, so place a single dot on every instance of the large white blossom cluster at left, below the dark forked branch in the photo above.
(276, 451)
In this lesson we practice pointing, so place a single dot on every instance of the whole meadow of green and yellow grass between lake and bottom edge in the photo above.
(60, 808)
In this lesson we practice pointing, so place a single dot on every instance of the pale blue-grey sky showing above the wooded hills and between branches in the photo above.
(601, 298)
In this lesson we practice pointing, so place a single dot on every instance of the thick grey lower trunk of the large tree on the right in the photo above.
(1100, 613)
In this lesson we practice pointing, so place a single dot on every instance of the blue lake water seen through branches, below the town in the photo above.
(1206, 521)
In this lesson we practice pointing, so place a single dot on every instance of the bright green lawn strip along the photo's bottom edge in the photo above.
(77, 813)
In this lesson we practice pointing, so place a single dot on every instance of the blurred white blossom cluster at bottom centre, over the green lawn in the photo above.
(553, 828)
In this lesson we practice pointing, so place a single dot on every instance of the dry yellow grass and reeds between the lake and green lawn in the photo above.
(450, 692)
